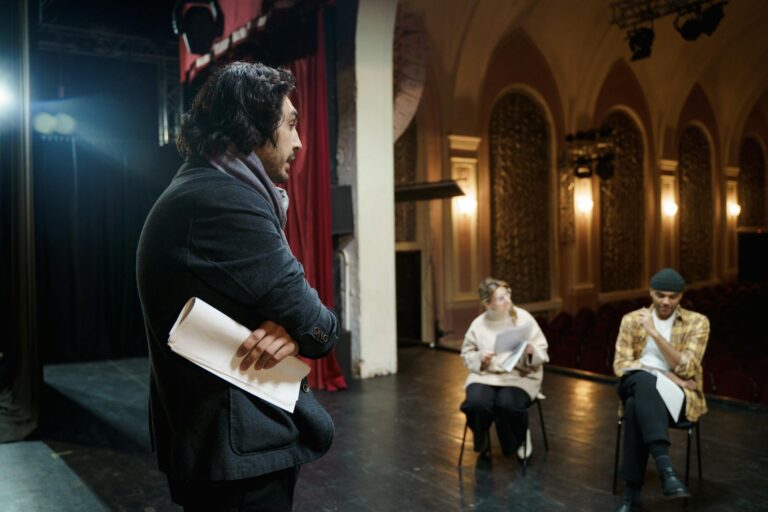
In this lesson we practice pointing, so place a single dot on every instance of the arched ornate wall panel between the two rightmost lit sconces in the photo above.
(696, 209)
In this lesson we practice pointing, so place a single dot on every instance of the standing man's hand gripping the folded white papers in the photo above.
(266, 346)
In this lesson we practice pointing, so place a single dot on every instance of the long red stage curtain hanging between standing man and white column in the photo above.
(309, 187)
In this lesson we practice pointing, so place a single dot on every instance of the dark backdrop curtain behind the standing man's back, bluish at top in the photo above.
(90, 203)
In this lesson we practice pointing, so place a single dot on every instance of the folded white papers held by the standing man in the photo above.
(210, 339)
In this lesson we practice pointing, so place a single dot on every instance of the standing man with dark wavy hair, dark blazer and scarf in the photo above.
(216, 233)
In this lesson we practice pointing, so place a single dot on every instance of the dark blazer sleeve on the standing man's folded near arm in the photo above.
(235, 246)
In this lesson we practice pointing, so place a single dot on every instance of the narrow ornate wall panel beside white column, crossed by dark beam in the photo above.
(406, 157)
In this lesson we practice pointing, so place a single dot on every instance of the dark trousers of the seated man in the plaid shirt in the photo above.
(646, 420)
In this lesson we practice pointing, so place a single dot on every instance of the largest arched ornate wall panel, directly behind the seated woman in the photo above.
(520, 169)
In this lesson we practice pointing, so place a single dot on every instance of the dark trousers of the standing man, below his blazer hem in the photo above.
(272, 492)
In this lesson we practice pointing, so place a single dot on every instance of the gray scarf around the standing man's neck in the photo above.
(250, 170)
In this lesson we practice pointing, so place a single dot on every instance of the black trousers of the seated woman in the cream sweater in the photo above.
(508, 406)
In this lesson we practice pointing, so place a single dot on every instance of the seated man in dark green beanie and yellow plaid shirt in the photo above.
(670, 339)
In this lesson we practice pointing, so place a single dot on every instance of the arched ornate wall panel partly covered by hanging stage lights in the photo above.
(622, 213)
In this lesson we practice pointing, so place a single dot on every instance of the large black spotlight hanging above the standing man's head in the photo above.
(199, 23)
